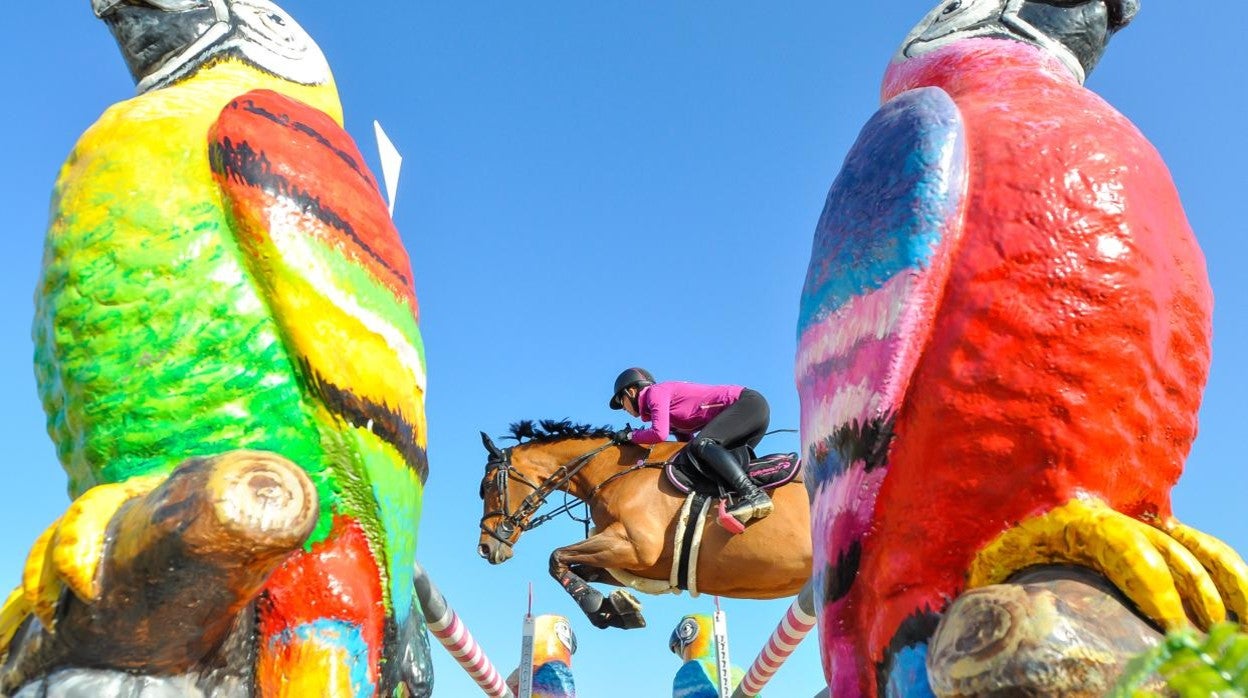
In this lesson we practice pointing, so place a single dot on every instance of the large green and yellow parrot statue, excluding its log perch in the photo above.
(222, 274)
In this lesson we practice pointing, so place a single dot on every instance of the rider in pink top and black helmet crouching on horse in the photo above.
(713, 419)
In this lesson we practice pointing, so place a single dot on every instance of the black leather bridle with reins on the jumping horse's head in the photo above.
(500, 473)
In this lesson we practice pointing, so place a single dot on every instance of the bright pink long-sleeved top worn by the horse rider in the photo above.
(680, 408)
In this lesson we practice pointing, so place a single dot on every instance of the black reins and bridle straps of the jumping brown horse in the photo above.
(522, 519)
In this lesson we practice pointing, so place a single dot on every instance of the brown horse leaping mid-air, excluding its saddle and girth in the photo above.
(635, 511)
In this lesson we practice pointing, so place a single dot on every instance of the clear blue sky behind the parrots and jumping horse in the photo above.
(595, 185)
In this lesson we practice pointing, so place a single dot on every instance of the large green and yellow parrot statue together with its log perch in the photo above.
(229, 355)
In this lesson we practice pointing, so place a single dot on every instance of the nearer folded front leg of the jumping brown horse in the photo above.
(608, 549)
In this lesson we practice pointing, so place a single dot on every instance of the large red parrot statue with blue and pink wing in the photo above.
(1004, 338)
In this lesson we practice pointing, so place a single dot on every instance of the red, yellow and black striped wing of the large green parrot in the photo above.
(319, 240)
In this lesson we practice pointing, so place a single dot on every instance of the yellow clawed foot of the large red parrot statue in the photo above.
(1154, 570)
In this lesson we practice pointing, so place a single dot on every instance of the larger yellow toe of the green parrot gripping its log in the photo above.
(83, 533)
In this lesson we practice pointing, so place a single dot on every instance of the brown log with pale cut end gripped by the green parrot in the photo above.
(182, 565)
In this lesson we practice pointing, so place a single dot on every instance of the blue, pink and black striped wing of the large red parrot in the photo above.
(879, 267)
